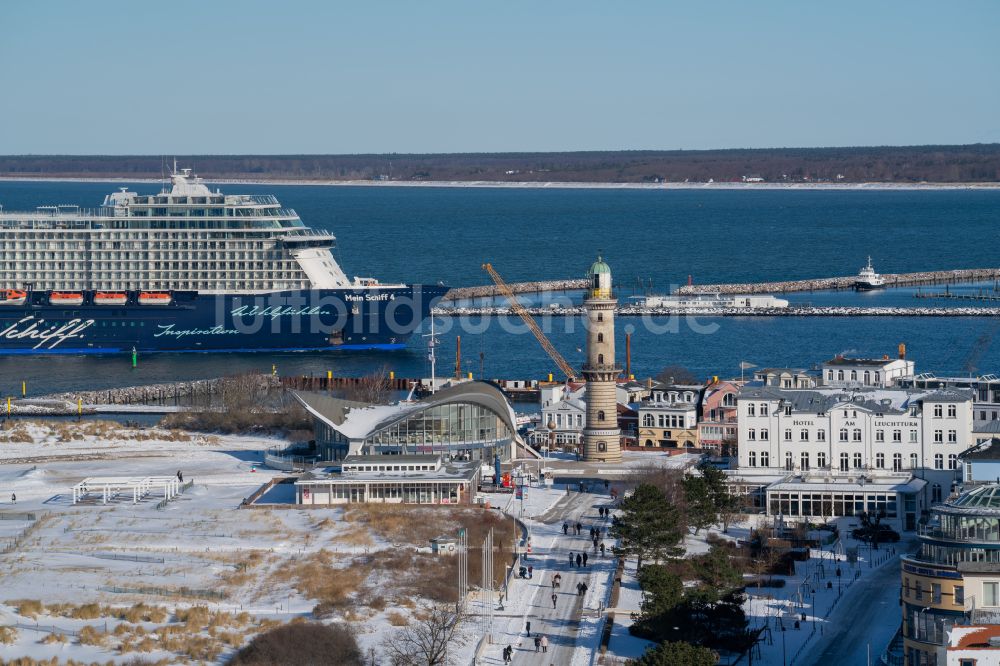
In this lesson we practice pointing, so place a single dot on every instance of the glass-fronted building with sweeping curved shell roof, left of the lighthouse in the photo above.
(466, 421)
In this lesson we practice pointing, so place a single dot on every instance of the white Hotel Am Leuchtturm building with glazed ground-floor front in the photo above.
(832, 451)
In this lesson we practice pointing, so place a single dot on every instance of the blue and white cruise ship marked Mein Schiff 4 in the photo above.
(189, 270)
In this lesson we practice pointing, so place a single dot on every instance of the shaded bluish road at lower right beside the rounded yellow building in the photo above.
(868, 613)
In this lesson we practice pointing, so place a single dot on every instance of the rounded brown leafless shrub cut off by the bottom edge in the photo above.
(304, 644)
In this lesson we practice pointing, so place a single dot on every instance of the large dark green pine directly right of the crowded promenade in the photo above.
(648, 526)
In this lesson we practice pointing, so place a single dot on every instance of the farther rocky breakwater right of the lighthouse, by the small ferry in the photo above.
(821, 284)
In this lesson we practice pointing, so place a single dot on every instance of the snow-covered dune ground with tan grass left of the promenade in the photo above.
(199, 549)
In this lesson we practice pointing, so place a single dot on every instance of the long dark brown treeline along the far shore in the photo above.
(909, 164)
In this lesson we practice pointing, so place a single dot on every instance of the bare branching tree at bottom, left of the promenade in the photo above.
(425, 641)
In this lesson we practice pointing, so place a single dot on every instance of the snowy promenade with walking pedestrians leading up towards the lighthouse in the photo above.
(534, 597)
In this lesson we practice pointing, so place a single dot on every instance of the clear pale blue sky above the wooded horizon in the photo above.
(298, 76)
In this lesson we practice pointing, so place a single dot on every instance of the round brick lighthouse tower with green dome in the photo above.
(601, 436)
